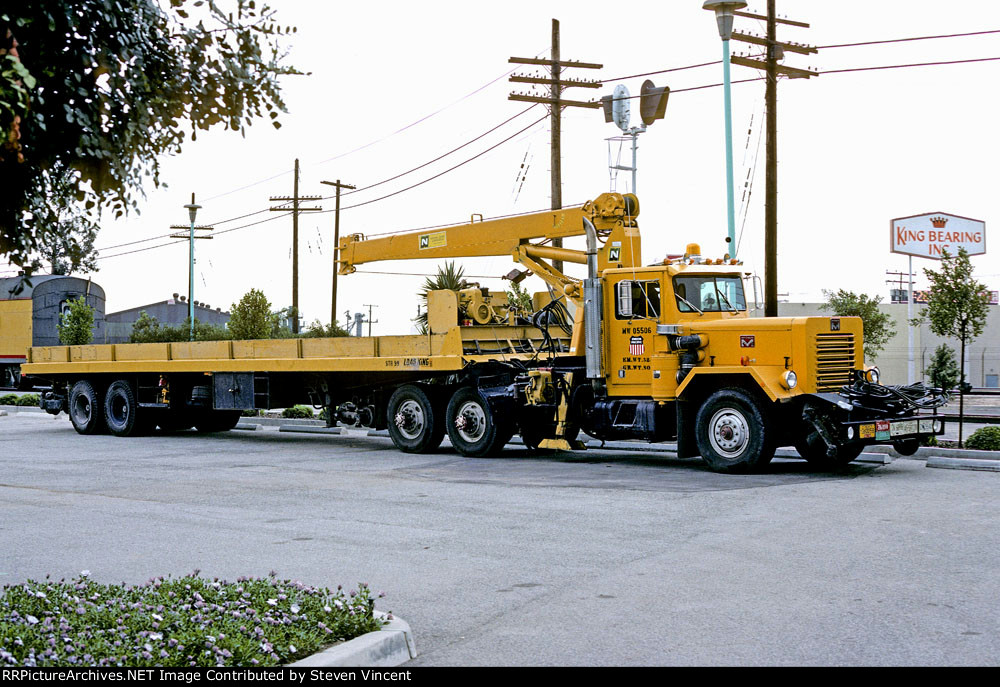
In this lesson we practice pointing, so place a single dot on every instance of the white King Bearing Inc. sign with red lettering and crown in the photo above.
(931, 235)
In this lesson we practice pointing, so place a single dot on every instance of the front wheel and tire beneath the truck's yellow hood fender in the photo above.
(733, 432)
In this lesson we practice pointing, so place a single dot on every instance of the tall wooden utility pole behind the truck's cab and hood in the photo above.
(775, 52)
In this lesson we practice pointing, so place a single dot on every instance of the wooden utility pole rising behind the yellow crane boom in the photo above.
(556, 84)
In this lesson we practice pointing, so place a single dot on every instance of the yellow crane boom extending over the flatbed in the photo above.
(493, 237)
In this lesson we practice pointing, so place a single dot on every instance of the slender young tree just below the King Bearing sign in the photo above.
(957, 306)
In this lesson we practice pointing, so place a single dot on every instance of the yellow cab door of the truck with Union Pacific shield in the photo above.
(633, 303)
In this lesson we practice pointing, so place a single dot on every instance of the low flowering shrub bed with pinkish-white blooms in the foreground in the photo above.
(170, 623)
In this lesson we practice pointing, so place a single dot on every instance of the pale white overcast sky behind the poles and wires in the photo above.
(855, 149)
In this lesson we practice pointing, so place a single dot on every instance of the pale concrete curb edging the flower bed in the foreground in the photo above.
(391, 646)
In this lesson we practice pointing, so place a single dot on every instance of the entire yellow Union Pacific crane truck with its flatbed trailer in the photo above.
(658, 352)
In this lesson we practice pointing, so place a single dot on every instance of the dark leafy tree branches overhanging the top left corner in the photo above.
(93, 92)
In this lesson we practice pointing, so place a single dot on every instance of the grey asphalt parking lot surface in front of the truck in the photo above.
(598, 558)
